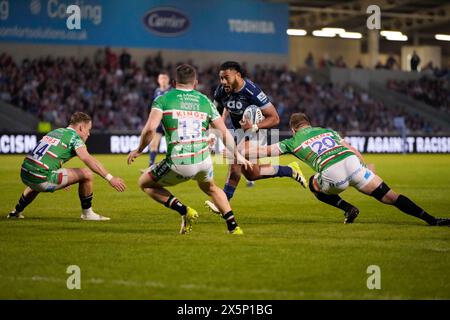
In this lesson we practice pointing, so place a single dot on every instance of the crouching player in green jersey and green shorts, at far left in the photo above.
(42, 169)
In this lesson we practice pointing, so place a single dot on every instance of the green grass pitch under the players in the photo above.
(293, 248)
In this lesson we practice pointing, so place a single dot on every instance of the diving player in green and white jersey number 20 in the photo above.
(338, 166)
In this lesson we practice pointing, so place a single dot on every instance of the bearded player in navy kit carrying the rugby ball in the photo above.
(234, 94)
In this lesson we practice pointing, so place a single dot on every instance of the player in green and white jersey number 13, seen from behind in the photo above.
(186, 115)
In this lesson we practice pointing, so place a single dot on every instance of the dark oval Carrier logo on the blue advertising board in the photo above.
(166, 21)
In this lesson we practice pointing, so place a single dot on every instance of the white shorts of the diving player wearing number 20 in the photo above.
(348, 172)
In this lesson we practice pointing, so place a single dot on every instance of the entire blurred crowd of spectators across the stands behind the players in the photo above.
(116, 91)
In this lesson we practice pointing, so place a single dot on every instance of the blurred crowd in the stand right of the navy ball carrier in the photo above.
(343, 108)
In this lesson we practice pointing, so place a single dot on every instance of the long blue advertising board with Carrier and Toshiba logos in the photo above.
(211, 25)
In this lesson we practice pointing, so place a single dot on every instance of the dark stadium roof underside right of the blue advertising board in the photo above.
(421, 19)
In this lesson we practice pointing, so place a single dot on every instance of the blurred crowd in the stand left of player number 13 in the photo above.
(115, 92)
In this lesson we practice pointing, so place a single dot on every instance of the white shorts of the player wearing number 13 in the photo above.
(166, 174)
